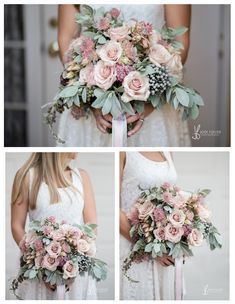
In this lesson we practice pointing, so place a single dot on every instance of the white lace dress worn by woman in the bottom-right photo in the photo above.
(155, 281)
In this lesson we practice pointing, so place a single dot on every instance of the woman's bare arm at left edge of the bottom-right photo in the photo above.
(124, 223)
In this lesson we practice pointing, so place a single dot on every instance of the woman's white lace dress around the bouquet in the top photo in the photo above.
(162, 128)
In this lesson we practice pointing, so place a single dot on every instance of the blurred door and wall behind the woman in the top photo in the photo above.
(32, 70)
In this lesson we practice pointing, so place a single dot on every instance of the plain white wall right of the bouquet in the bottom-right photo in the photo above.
(207, 273)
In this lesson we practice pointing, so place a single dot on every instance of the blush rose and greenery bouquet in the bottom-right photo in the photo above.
(167, 220)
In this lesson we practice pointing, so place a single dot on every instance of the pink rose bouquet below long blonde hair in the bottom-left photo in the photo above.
(58, 253)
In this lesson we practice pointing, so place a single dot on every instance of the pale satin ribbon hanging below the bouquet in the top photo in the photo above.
(119, 131)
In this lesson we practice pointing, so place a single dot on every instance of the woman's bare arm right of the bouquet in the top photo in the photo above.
(176, 16)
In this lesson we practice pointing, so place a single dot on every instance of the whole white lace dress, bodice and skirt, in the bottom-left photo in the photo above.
(69, 209)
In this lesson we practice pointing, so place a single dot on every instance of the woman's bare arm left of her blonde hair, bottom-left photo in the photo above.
(19, 210)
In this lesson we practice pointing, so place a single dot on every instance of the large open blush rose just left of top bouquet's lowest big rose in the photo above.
(104, 75)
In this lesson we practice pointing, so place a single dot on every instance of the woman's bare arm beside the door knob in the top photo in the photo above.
(67, 27)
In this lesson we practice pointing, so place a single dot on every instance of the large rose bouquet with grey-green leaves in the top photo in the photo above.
(119, 66)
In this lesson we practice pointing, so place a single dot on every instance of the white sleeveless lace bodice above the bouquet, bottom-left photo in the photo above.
(70, 207)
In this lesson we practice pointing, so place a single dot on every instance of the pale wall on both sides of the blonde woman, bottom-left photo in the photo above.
(100, 167)
